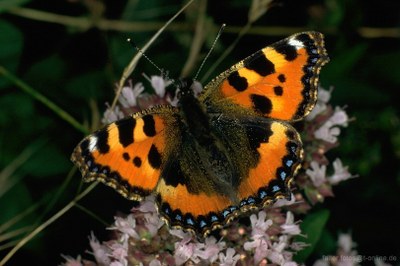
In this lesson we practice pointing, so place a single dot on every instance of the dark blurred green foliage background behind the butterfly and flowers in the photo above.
(76, 65)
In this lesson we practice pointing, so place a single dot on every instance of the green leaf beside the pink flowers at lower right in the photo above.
(312, 226)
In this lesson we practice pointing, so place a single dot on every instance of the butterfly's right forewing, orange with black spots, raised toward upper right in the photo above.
(279, 81)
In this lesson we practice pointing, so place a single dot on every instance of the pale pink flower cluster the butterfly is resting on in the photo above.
(267, 238)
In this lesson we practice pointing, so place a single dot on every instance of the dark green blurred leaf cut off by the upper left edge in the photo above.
(11, 48)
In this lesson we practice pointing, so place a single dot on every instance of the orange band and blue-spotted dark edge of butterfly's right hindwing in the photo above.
(280, 157)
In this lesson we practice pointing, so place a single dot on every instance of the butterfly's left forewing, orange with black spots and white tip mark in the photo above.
(127, 154)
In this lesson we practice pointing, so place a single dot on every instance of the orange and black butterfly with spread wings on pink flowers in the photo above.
(213, 157)
